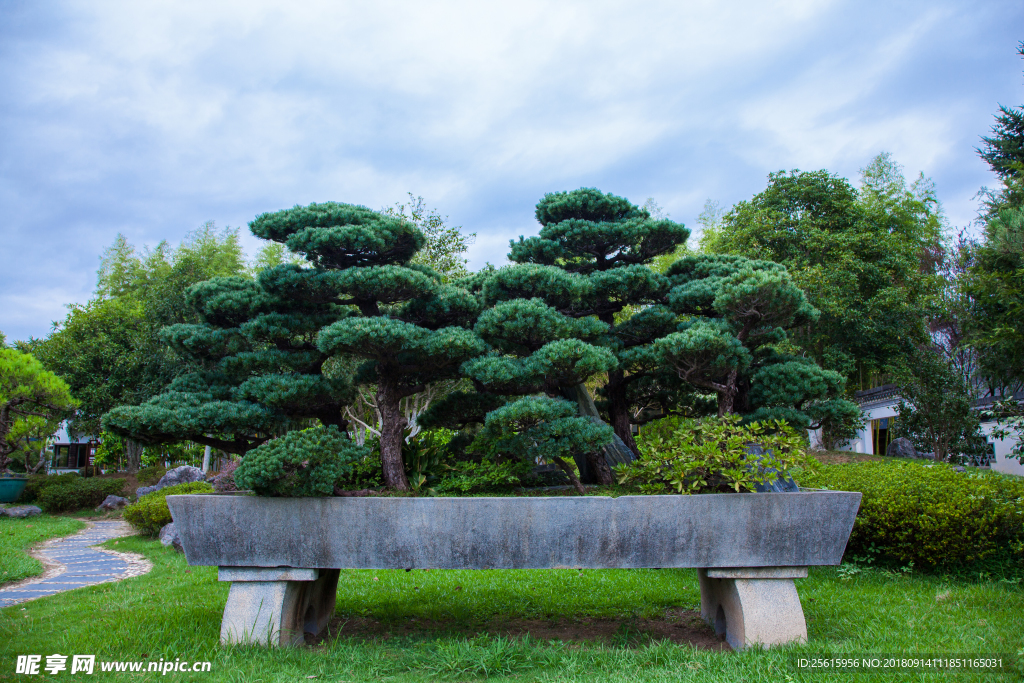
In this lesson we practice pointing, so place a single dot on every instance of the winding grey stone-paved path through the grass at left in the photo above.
(72, 563)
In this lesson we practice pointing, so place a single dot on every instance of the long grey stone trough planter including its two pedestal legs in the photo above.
(284, 557)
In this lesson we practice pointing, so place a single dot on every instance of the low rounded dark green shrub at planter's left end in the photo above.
(300, 464)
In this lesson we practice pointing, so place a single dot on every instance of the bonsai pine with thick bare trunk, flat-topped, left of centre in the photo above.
(408, 327)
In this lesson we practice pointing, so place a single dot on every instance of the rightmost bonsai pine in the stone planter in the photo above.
(735, 343)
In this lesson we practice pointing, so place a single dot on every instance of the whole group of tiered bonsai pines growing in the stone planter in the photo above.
(278, 354)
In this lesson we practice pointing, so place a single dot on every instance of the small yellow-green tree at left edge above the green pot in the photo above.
(32, 400)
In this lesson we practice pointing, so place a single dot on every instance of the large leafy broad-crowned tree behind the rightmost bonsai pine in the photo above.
(865, 259)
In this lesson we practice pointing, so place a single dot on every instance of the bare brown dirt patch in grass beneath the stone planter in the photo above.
(679, 626)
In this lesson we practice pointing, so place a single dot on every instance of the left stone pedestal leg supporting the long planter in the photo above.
(277, 607)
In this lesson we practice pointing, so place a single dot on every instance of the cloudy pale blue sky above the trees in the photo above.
(152, 118)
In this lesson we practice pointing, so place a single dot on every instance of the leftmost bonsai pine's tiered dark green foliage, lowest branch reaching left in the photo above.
(260, 370)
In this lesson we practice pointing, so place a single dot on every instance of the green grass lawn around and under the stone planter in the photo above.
(421, 626)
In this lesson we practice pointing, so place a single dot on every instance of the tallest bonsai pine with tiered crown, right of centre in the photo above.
(609, 243)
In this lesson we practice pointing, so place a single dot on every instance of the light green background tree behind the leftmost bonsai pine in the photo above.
(110, 351)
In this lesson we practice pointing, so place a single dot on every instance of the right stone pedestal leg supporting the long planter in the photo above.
(754, 607)
